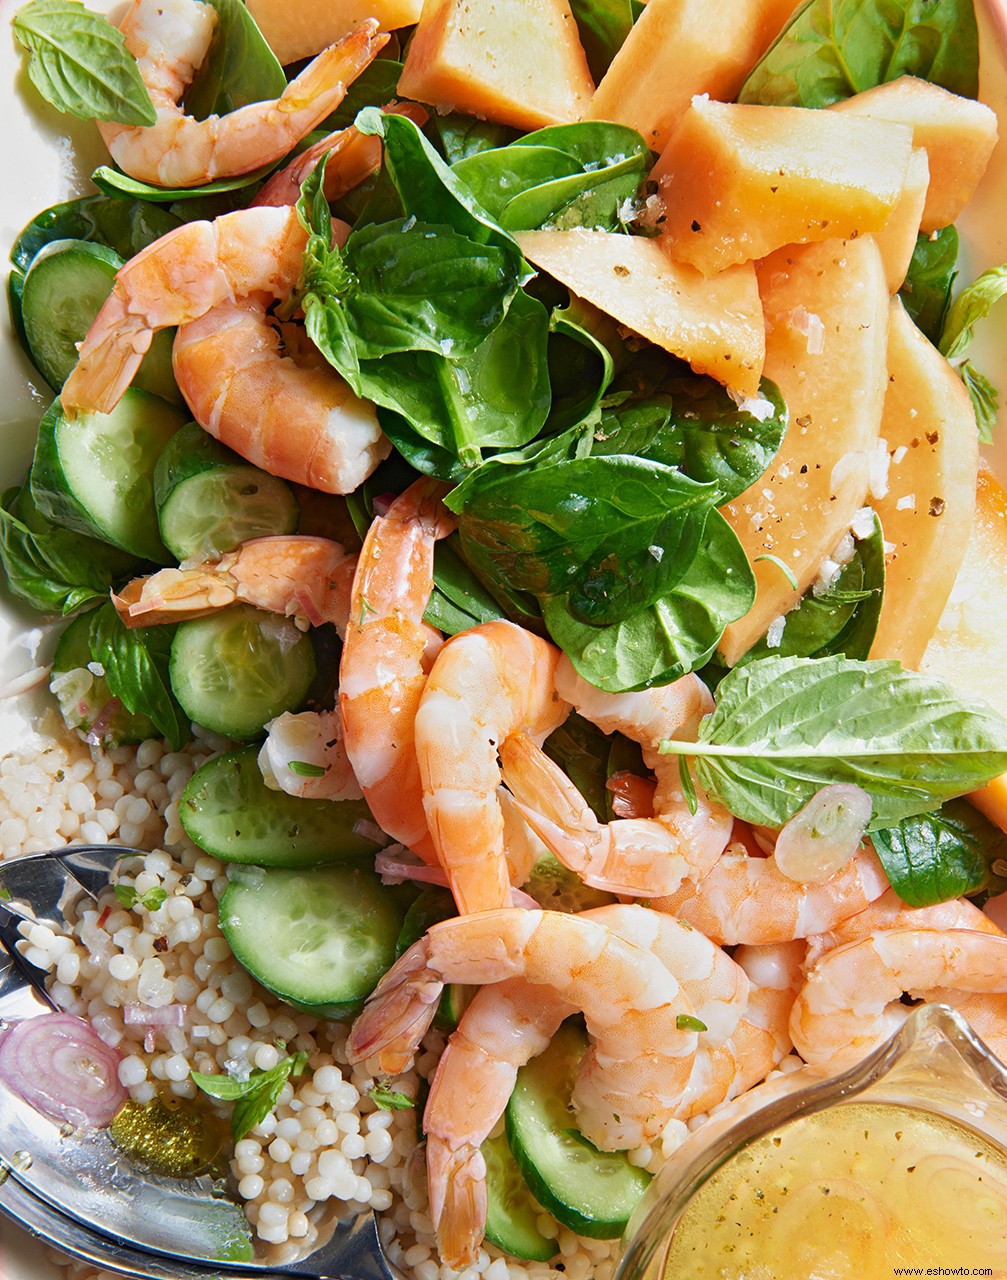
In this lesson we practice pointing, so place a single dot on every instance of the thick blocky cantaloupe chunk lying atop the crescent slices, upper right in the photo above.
(739, 181)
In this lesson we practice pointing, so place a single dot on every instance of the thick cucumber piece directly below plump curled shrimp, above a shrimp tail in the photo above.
(209, 500)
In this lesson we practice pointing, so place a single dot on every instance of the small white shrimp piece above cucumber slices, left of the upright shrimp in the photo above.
(313, 739)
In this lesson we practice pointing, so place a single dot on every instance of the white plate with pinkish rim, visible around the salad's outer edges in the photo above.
(48, 158)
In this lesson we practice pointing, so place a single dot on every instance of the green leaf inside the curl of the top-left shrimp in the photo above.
(240, 67)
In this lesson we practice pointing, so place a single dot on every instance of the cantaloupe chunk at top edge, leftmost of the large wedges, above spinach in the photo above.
(516, 62)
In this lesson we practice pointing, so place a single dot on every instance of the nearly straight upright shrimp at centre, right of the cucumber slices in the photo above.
(387, 655)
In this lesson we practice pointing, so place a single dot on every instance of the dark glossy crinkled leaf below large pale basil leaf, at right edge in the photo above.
(941, 856)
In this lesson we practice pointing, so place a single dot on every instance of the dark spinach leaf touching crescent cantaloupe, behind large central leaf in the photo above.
(694, 426)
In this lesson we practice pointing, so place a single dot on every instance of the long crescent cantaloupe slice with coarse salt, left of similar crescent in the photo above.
(832, 374)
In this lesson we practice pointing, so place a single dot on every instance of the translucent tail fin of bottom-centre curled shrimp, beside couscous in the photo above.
(397, 1014)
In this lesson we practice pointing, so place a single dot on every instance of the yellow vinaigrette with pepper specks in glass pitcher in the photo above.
(854, 1191)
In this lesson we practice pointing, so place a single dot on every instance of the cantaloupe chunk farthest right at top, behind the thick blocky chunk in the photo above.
(959, 135)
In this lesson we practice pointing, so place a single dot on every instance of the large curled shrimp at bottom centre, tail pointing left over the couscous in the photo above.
(638, 1068)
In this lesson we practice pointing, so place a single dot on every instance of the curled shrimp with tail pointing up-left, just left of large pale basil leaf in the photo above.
(638, 857)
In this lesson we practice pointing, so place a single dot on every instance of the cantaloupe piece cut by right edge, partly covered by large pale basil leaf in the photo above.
(969, 648)
